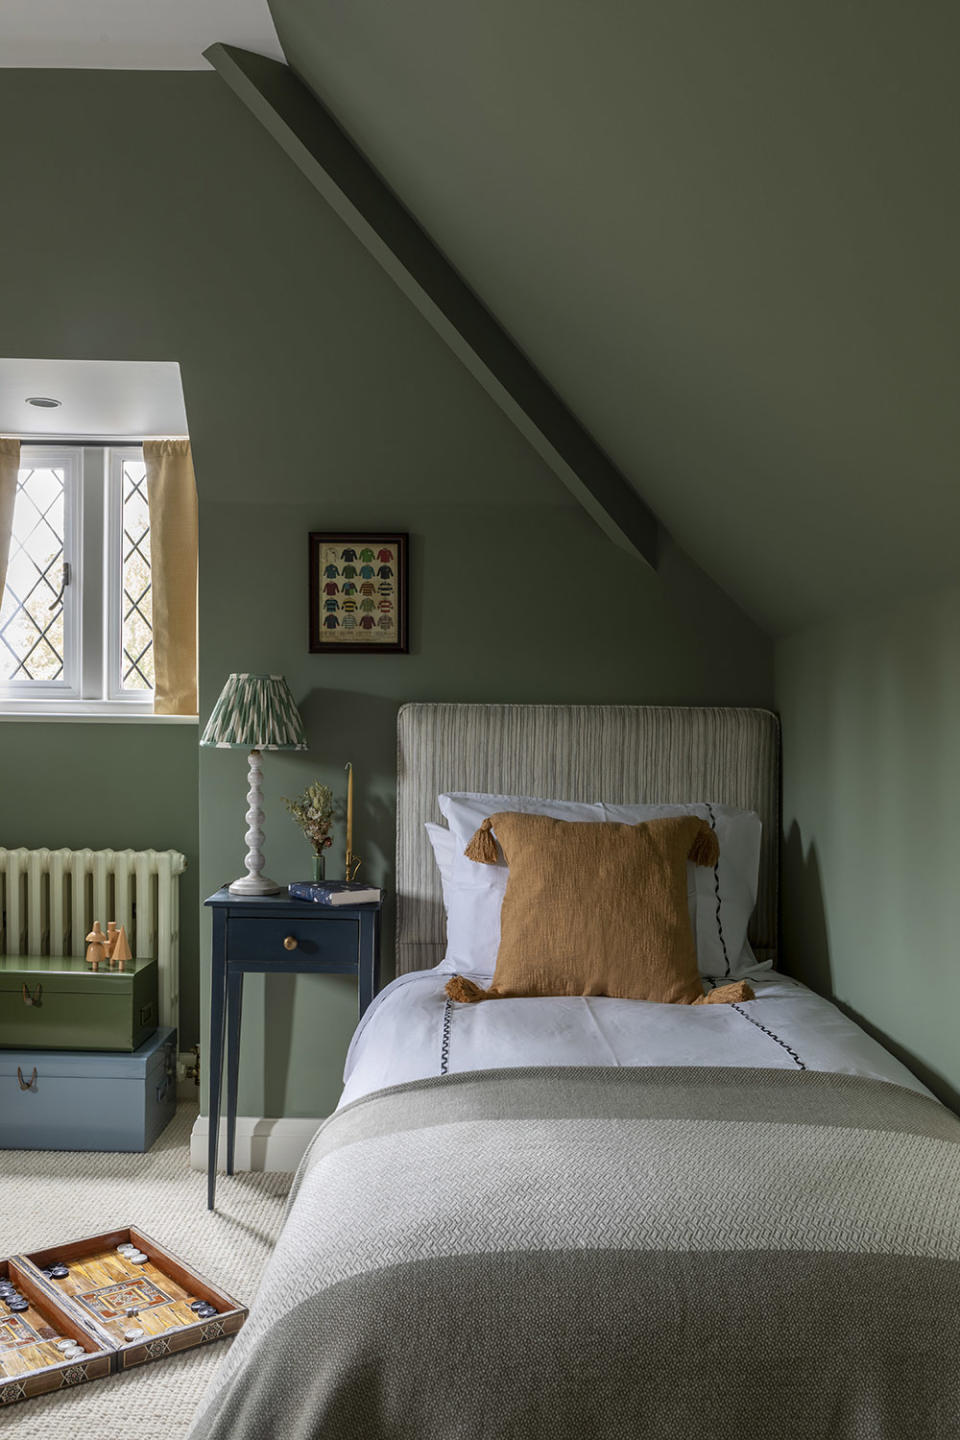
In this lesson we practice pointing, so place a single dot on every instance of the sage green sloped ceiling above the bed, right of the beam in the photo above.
(726, 234)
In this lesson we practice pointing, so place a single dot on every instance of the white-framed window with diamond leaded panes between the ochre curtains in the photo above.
(77, 614)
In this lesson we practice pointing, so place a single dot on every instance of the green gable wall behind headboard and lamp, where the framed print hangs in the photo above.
(172, 228)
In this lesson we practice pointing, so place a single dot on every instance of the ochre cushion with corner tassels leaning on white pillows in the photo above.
(595, 909)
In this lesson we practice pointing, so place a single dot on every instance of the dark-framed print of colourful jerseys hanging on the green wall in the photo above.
(358, 593)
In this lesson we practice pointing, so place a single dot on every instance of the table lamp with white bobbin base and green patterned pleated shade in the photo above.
(257, 714)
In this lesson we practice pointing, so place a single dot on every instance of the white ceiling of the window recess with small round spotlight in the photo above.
(100, 398)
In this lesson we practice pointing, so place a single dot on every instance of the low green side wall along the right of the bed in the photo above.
(871, 904)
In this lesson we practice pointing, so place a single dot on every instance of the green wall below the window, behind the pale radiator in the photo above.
(110, 787)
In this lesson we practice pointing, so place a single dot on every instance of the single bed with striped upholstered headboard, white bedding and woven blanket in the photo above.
(571, 1218)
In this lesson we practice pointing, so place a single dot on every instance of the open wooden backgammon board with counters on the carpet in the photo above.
(94, 1307)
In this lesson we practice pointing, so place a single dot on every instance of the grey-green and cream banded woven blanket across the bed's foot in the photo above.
(561, 1254)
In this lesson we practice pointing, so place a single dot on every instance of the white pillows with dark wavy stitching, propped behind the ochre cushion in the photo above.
(720, 899)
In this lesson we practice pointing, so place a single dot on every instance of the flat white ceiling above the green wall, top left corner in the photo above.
(130, 35)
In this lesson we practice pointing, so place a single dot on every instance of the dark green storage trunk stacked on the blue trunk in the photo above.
(58, 1003)
